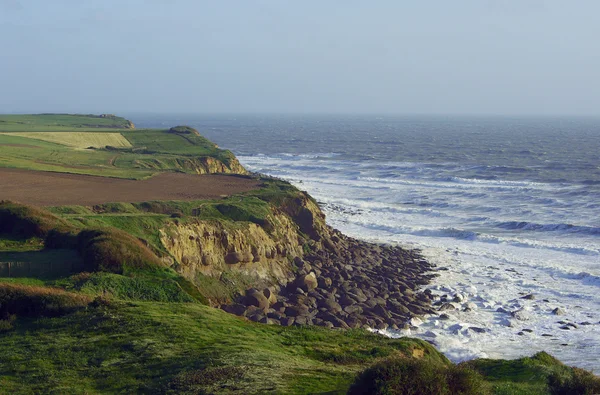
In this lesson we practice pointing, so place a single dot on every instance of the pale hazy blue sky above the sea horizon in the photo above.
(506, 57)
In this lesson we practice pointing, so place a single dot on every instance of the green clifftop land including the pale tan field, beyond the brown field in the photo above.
(136, 155)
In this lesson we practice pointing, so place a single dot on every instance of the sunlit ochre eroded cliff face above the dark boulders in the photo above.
(262, 252)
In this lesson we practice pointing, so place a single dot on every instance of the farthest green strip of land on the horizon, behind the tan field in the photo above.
(60, 122)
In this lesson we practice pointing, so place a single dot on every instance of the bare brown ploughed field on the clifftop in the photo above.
(60, 189)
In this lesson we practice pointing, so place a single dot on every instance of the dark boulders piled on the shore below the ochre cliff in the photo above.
(348, 284)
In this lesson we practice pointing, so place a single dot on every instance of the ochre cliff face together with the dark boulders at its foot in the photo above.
(293, 269)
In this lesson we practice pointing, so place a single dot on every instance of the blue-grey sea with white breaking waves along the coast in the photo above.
(505, 207)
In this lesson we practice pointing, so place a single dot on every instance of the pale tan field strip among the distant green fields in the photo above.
(78, 139)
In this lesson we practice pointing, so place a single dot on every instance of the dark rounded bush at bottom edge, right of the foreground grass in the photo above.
(417, 376)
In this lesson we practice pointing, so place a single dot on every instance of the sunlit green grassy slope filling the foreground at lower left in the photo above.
(184, 347)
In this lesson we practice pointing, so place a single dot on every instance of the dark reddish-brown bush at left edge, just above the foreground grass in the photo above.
(32, 301)
